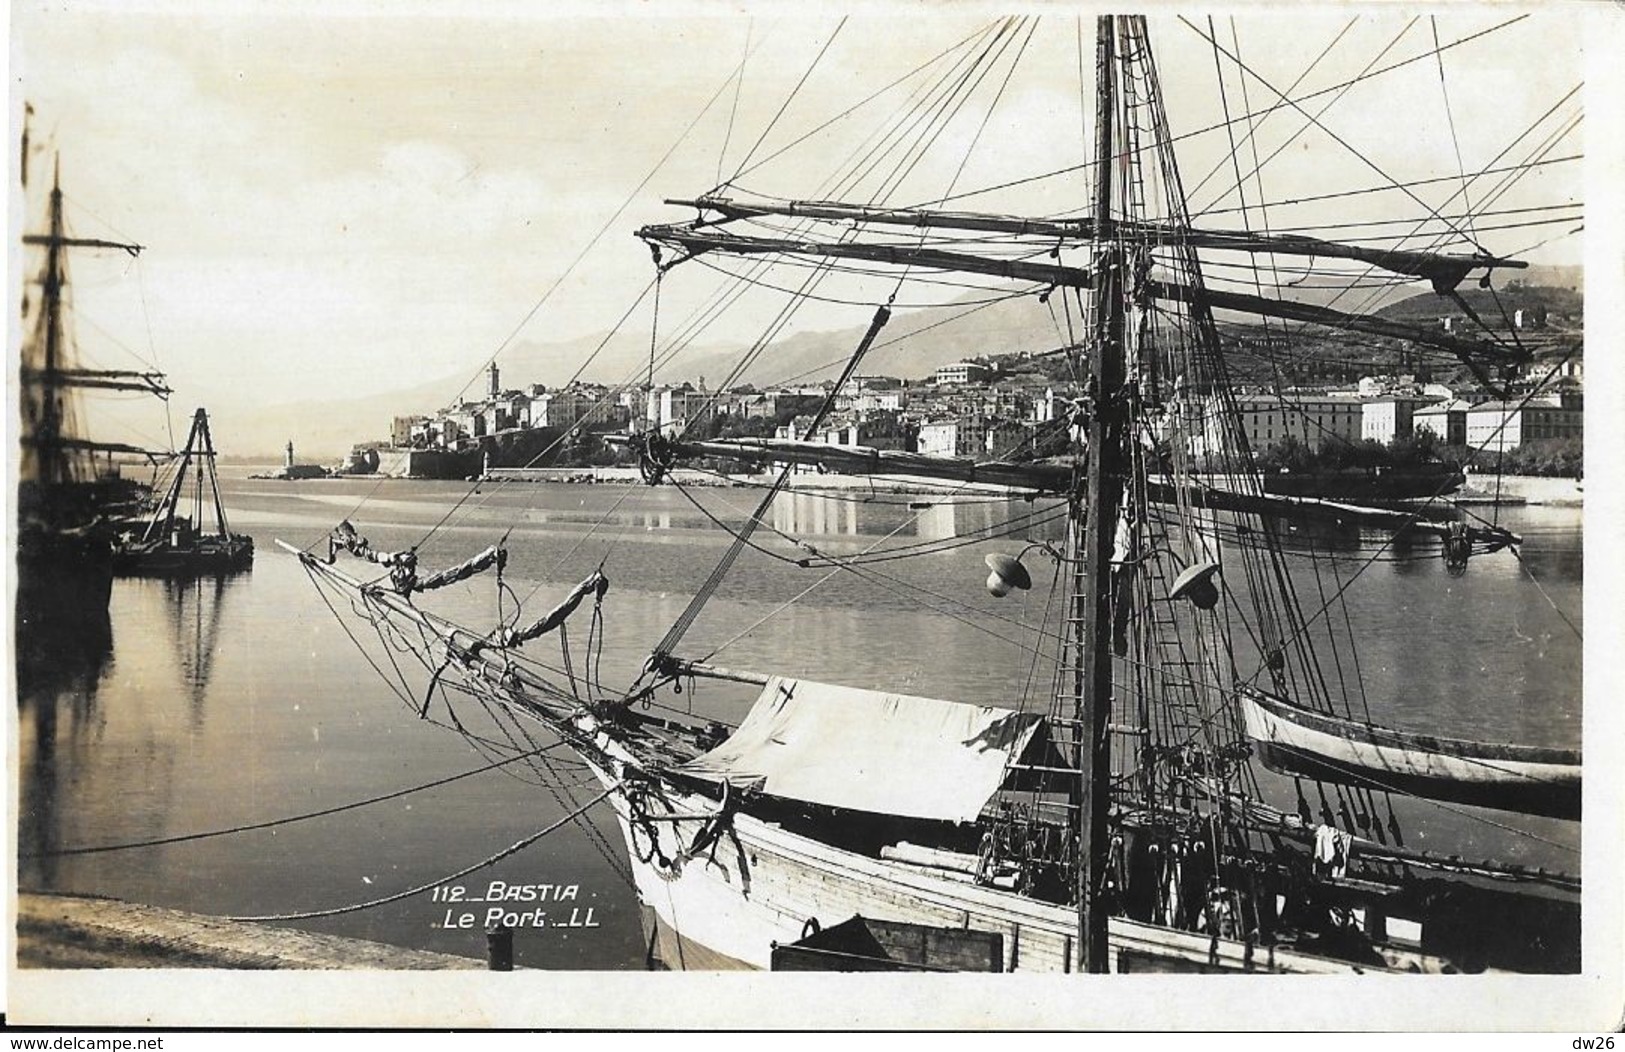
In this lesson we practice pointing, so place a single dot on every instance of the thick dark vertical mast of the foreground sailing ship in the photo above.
(1094, 523)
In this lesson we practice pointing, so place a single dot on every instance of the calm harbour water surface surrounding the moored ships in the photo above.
(240, 702)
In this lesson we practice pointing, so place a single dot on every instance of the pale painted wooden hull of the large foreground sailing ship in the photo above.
(760, 887)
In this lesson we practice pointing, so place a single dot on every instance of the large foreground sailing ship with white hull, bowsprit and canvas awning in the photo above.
(1117, 825)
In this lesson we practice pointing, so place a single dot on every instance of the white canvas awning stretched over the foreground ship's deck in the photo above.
(870, 750)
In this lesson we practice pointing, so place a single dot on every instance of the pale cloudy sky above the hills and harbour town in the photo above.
(349, 199)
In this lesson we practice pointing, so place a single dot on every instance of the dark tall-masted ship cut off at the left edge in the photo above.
(72, 498)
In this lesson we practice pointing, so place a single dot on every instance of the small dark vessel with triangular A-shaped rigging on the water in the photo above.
(176, 546)
